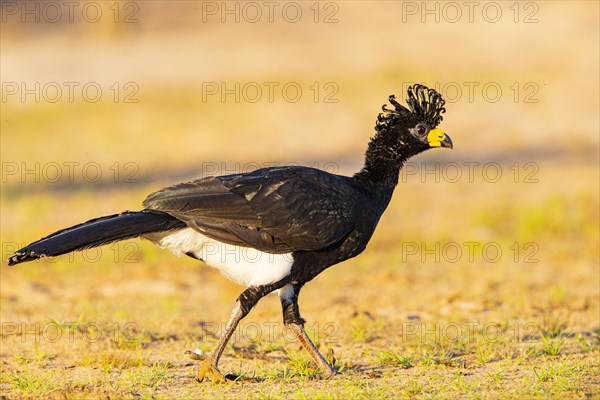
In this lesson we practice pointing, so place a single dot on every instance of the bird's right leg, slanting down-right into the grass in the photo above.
(294, 322)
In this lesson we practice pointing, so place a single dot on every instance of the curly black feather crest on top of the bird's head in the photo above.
(425, 103)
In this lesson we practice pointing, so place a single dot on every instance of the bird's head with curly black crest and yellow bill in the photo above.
(413, 129)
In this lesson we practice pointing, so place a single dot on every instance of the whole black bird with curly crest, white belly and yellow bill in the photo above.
(289, 223)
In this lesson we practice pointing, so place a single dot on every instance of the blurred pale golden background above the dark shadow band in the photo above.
(194, 81)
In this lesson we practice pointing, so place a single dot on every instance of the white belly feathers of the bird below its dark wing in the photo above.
(244, 265)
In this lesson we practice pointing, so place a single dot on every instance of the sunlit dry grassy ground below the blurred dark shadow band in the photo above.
(403, 319)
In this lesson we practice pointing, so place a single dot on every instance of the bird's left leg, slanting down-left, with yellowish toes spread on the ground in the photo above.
(209, 362)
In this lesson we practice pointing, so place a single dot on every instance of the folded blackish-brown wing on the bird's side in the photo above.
(276, 210)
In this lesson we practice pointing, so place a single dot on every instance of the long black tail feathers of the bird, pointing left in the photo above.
(97, 232)
